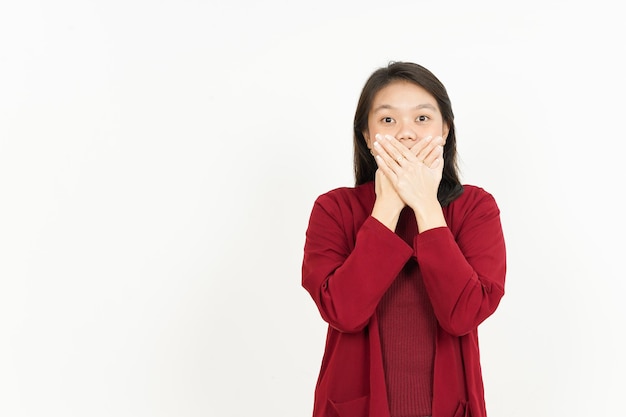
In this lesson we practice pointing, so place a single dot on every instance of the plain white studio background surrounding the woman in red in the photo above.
(158, 164)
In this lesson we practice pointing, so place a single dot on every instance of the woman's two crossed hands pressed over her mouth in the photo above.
(414, 173)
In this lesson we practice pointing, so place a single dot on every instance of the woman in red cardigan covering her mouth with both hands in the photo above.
(405, 265)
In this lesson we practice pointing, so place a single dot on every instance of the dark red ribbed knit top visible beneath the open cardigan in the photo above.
(407, 329)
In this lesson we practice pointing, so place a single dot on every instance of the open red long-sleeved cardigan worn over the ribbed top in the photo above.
(351, 259)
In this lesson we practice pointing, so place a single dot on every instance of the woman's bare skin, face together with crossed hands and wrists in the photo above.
(406, 134)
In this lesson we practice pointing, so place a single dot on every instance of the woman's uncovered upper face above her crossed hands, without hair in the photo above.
(407, 112)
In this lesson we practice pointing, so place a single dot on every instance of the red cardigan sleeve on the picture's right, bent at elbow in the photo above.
(465, 277)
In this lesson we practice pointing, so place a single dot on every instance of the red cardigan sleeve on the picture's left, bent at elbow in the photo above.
(345, 278)
